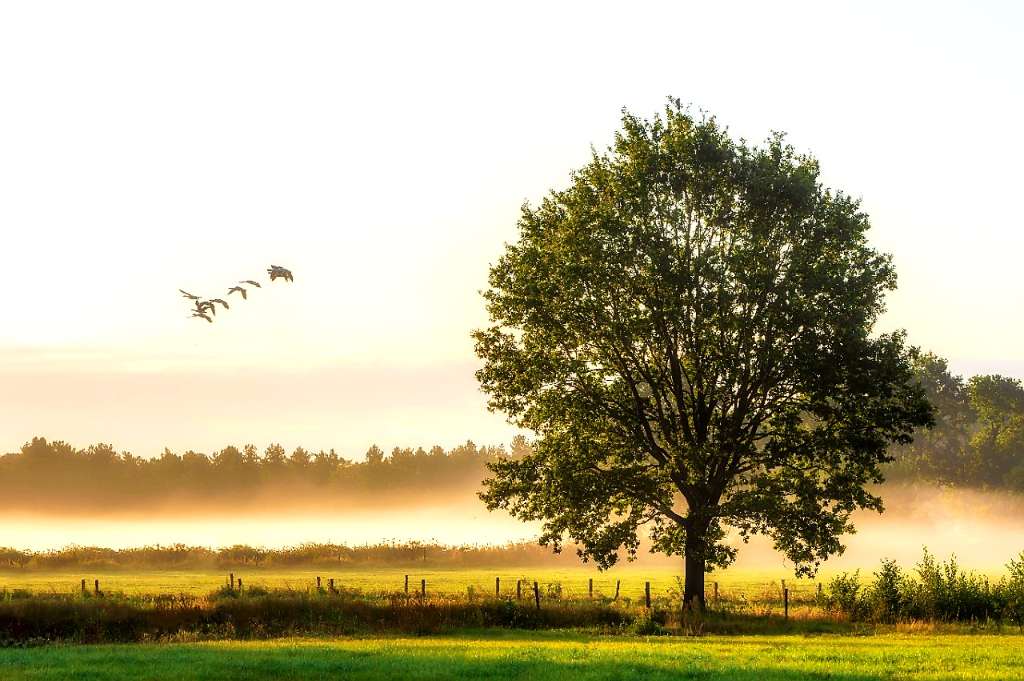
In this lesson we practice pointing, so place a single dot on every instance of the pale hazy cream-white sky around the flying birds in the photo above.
(382, 151)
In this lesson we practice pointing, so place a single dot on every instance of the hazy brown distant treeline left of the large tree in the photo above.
(53, 477)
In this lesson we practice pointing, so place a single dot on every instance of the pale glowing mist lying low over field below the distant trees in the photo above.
(982, 529)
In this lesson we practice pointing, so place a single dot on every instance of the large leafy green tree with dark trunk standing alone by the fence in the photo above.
(688, 331)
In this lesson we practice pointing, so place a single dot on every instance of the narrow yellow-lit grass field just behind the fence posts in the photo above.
(450, 582)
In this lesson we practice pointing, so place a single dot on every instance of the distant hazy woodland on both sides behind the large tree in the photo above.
(978, 442)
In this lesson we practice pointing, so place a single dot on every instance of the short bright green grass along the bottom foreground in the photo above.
(556, 656)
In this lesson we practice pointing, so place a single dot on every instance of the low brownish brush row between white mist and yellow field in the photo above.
(181, 557)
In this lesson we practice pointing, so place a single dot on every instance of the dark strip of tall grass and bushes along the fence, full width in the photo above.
(933, 592)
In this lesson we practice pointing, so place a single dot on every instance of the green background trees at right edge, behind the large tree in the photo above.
(978, 440)
